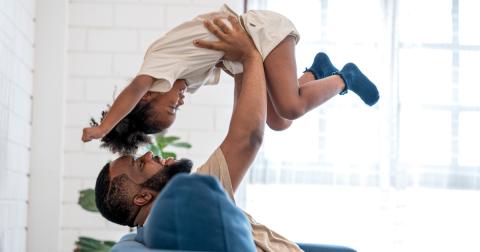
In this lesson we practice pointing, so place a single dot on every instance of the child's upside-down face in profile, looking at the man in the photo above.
(165, 104)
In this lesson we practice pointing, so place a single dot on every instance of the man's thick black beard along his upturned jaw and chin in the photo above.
(161, 178)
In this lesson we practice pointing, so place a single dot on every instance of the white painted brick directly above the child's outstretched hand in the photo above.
(79, 114)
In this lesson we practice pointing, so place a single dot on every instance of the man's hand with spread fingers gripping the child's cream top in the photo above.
(234, 42)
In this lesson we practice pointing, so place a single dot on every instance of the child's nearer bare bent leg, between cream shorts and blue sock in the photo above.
(289, 99)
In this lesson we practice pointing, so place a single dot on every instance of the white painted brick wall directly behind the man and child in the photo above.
(107, 41)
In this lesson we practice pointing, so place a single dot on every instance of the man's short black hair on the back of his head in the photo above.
(112, 198)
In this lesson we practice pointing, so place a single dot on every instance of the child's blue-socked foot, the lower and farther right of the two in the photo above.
(356, 81)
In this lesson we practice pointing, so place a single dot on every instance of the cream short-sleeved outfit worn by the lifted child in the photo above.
(174, 56)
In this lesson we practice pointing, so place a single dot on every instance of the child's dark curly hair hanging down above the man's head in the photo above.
(131, 132)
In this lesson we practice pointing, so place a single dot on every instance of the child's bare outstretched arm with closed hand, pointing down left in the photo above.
(124, 103)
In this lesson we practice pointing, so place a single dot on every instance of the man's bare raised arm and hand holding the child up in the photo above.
(247, 124)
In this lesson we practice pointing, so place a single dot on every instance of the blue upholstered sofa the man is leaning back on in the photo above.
(193, 213)
